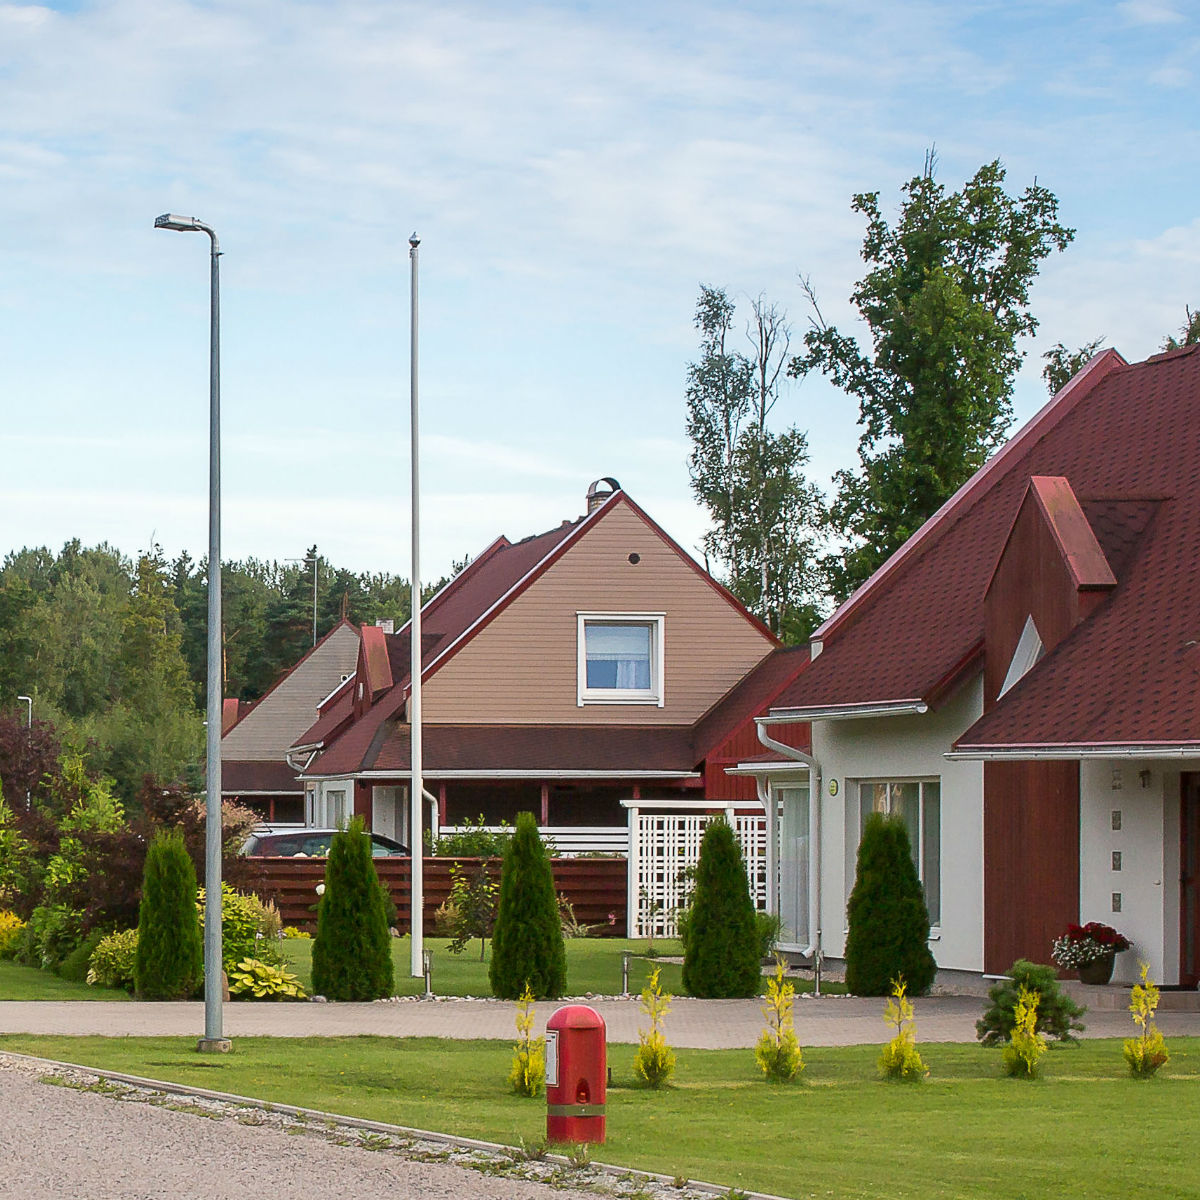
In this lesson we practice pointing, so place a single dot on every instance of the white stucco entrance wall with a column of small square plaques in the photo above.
(1149, 844)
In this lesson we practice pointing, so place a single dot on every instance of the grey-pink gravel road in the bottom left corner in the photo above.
(62, 1143)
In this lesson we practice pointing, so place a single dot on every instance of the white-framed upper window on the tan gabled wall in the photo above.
(621, 658)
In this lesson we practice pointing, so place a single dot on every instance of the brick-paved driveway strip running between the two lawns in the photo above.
(703, 1024)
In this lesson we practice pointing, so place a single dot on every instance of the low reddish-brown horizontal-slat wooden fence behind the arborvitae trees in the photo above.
(596, 889)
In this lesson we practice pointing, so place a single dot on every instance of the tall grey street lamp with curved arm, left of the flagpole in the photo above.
(214, 1039)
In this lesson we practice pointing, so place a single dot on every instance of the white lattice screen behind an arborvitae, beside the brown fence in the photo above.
(665, 847)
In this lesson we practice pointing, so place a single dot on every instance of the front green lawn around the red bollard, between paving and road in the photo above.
(1087, 1130)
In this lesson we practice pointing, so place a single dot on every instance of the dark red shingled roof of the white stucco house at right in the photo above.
(1127, 439)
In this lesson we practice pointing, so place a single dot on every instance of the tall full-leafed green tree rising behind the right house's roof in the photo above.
(946, 302)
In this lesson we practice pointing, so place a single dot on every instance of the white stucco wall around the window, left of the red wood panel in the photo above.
(903, 748)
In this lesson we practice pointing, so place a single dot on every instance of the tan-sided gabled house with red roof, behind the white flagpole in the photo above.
(562, 675)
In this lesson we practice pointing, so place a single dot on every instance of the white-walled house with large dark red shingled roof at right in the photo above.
(1022, 683)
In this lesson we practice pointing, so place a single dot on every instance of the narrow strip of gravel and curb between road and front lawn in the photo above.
(415, 1145)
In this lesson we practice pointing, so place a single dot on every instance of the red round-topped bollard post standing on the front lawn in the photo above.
(577, 1076)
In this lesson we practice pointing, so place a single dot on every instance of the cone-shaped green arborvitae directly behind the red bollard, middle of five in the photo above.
(527, 943)
